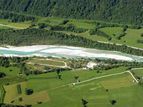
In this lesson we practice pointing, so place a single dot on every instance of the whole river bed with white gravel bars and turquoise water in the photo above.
(65, 51)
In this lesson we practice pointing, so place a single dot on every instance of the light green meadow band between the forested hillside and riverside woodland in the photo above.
(130, 39)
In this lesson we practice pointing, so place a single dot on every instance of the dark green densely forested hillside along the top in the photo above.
(121, 11)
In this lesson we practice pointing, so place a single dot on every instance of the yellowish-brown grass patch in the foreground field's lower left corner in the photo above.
(12, 96)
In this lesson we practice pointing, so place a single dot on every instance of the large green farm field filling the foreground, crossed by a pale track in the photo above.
(97, 88)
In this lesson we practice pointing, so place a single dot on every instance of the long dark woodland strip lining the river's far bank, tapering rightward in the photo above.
(41, 36)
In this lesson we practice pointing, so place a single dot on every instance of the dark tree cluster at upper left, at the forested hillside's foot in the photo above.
(14, 17)
